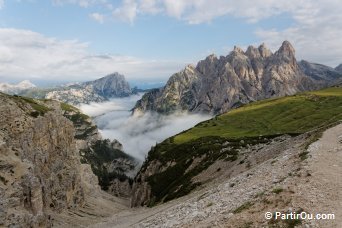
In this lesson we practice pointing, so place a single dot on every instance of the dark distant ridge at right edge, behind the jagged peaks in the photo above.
(319, 71)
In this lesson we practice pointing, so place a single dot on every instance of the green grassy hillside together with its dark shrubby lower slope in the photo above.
(222, 137)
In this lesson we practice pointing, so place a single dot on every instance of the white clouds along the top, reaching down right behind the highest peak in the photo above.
(316, 29)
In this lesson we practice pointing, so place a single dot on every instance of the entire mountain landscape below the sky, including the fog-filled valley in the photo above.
(220, 144)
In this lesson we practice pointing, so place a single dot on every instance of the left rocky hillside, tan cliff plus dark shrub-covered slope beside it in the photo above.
(49, 152)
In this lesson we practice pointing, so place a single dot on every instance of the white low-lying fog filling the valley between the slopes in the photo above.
(137, 134)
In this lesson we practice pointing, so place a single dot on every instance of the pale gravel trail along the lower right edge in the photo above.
(323, 192)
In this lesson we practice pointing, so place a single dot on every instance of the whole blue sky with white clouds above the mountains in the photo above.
(149, 40)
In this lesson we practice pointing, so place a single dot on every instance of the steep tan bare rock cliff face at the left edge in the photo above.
(39, 163)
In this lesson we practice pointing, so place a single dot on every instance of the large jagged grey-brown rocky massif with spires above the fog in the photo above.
(216, 85)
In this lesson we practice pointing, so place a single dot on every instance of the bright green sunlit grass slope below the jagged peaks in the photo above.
(293, 114)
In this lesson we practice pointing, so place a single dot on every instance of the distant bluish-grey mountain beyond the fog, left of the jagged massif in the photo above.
(110, 86)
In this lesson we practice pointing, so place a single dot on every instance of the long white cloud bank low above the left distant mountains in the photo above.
(26, 55)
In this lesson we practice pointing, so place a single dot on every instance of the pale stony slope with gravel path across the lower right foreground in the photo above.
(289, 182)
